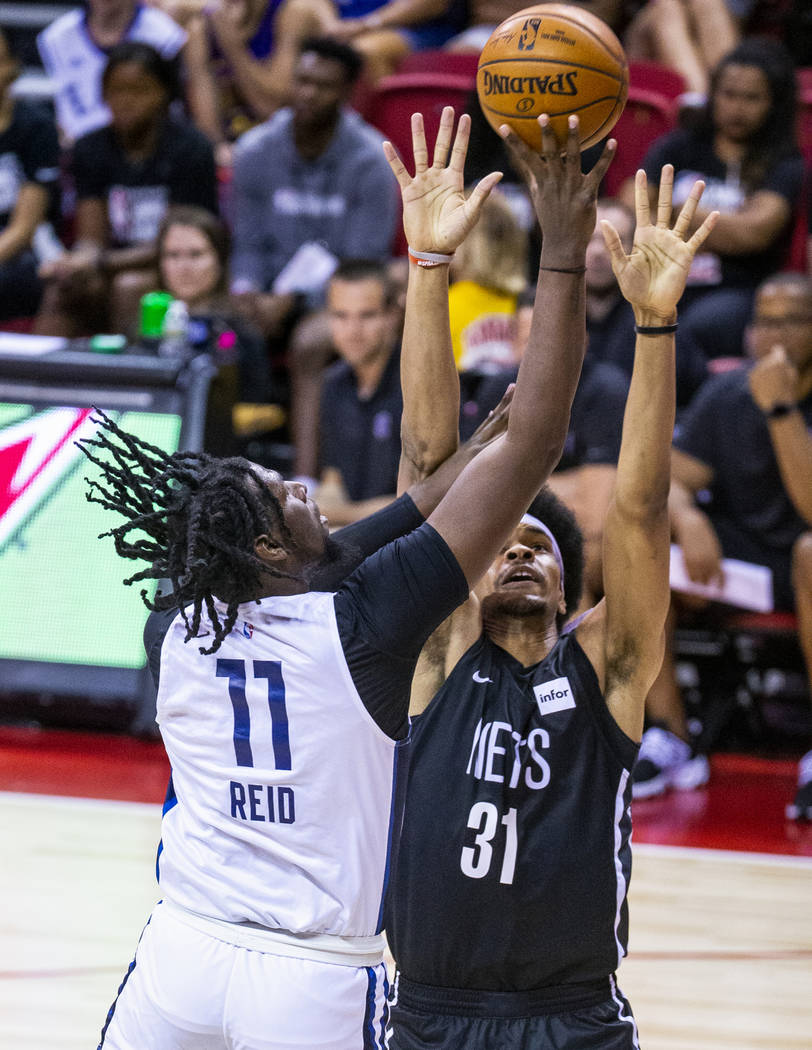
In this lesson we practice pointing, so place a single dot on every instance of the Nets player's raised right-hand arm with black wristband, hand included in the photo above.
(637, 533)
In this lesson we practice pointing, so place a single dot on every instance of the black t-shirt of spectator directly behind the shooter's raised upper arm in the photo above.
(596, 419)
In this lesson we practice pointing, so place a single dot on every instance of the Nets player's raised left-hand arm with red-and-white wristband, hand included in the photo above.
(438, 218)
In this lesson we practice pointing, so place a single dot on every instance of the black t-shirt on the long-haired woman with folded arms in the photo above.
(693, 158)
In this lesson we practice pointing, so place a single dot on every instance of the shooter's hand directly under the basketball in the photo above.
(564, 197)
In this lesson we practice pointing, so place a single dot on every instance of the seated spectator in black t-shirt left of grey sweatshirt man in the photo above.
(127, 174)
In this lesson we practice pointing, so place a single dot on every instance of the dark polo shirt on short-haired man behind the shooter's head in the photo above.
(362, 438)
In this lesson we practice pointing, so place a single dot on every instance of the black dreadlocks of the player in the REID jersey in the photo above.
(193, 517)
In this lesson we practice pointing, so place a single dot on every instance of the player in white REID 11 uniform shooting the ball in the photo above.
(284, 706)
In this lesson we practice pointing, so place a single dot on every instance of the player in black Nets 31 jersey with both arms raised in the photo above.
(508, 904)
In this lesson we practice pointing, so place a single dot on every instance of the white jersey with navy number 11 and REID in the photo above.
(284, 784)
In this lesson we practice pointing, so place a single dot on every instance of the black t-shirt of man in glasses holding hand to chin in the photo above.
(724, 429)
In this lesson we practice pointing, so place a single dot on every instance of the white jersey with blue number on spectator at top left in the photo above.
(75, 64)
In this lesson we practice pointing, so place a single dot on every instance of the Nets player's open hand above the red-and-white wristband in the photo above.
(438, 216)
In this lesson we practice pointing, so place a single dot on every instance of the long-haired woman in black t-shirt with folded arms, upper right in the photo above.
(744, 148)
